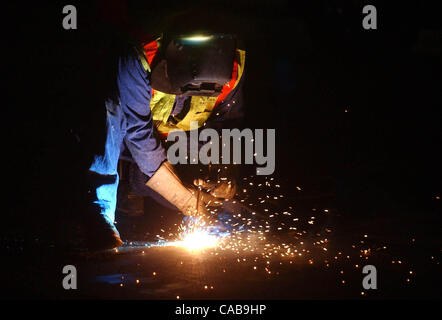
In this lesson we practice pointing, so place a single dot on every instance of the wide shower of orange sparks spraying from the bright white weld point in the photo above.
(261, 230)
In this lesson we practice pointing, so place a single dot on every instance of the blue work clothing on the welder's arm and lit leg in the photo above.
(128, 123)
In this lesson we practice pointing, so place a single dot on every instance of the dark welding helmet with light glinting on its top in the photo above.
(197, 65)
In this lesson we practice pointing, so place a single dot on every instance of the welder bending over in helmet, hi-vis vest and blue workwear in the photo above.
(163, 85)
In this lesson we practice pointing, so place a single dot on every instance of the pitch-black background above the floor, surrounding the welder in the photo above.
(307, 63)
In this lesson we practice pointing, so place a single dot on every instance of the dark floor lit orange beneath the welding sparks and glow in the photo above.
(327, 253)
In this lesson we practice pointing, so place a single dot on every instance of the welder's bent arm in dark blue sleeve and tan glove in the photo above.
(141, 139)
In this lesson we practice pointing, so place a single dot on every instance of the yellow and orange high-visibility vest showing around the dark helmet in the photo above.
(161, 104)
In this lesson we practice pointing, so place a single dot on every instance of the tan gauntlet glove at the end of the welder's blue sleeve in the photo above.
(166, 182)
